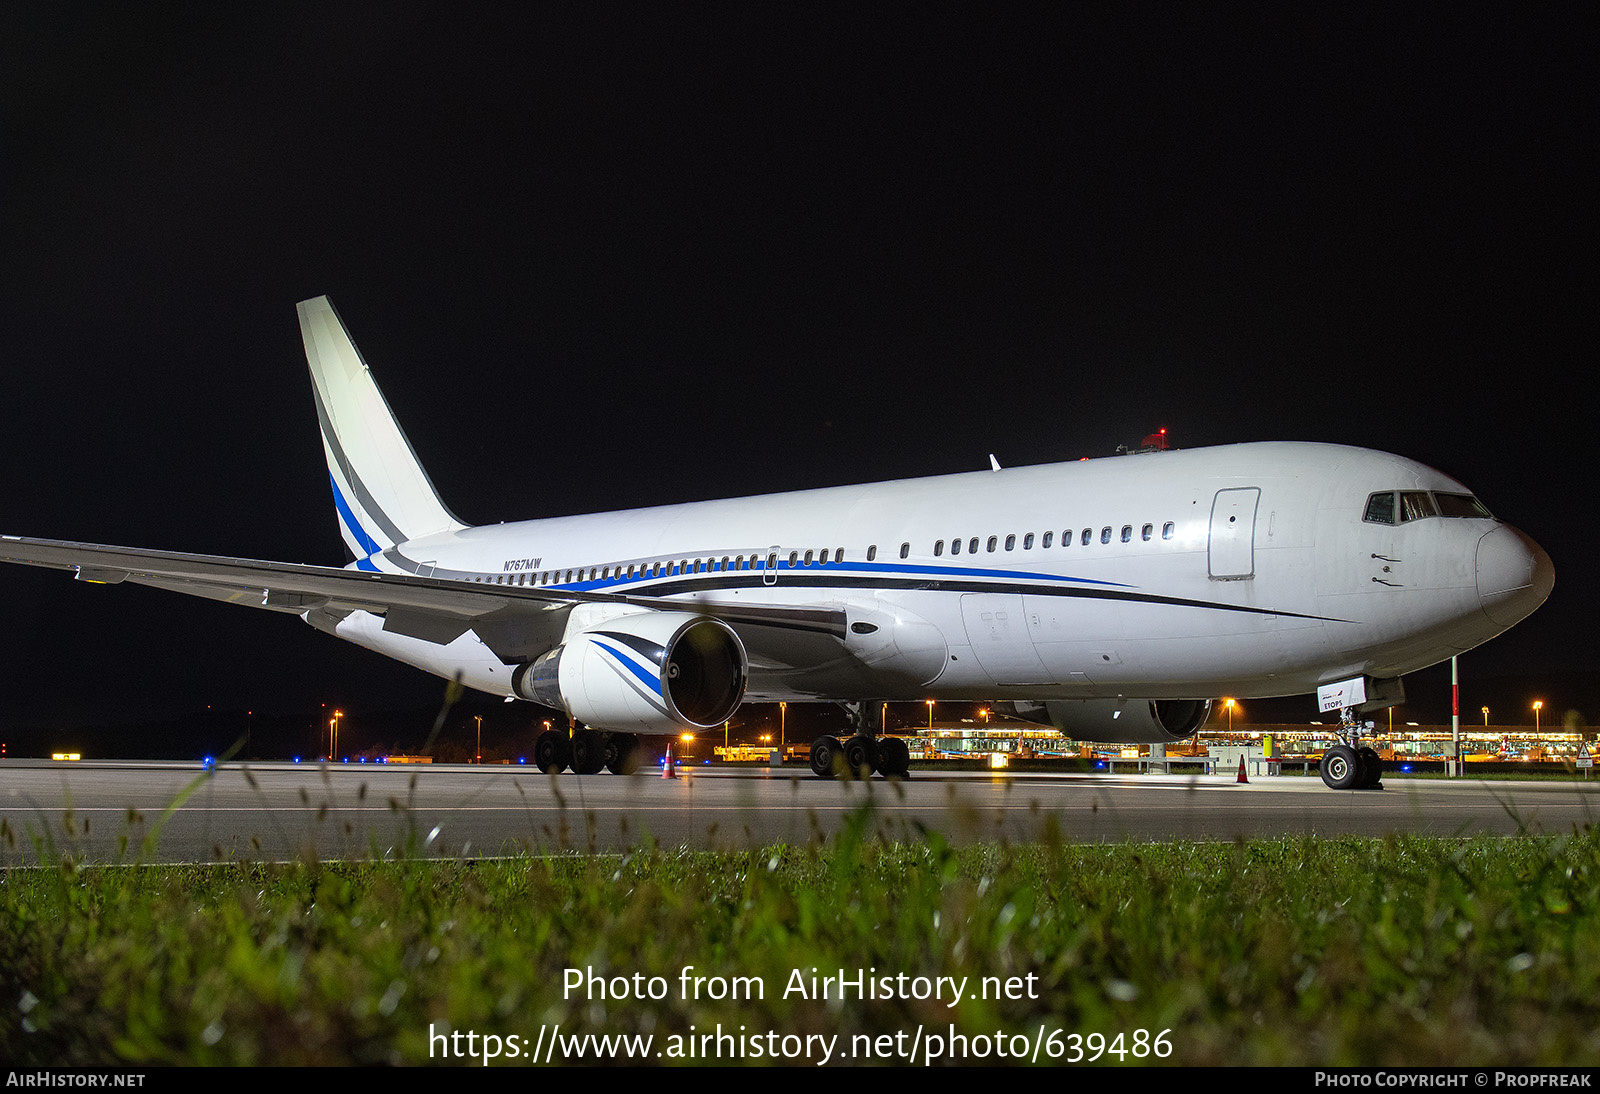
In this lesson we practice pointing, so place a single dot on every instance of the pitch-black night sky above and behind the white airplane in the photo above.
(609, 257)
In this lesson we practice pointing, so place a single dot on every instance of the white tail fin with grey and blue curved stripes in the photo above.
(380, 489)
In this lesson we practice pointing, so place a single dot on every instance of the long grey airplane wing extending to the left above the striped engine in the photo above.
(436, 610)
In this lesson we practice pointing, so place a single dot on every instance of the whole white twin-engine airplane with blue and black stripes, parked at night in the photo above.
(1114, 599)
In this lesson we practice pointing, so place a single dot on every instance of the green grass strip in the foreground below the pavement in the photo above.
(1404, 951)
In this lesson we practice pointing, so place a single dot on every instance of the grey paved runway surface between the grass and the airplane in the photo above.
(279, 812)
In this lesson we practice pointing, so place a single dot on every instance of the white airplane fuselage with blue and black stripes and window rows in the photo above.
(1249, 570)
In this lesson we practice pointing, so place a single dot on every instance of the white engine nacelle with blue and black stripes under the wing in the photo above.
(650, 673)
